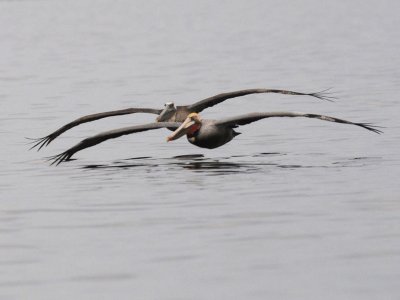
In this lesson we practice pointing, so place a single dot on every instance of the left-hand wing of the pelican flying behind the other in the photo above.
(44, 141)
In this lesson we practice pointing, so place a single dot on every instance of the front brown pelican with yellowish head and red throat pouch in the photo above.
(200, 132)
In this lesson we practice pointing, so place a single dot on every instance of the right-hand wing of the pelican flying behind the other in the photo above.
(214, 100)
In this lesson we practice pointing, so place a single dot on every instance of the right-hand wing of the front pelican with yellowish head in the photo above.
(252, 117)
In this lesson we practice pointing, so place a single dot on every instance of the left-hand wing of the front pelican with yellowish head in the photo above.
(112, 134)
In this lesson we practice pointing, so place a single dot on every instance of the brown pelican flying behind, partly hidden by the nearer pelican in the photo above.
(171, 113)
